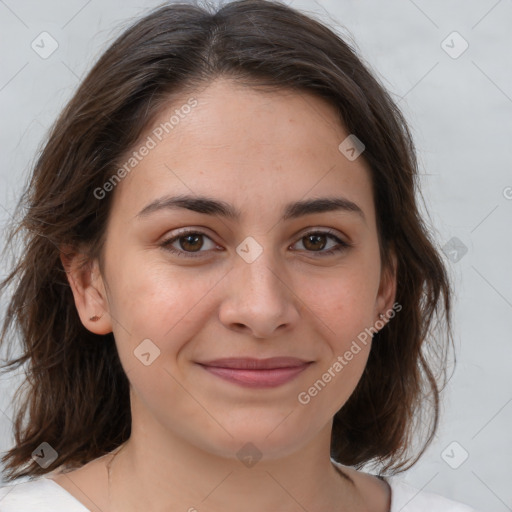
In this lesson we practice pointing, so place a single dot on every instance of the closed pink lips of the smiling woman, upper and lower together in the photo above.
(257, 373)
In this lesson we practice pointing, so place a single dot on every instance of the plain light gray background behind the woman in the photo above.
(460, 110)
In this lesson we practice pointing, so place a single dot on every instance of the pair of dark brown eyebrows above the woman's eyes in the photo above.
(210, 206)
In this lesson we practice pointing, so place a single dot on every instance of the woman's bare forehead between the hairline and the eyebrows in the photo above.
(251, 148)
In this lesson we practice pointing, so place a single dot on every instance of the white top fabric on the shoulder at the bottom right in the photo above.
(406, 498)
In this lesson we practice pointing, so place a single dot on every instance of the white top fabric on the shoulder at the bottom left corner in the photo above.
(37, 495)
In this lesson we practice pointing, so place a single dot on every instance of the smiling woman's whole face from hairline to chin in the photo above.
(183, 285)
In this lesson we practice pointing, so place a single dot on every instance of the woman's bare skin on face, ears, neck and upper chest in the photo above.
(257, 151)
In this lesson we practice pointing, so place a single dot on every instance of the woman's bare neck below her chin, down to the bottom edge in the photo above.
(301, 481)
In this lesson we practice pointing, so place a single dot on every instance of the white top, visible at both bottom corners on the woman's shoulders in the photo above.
(44, 495)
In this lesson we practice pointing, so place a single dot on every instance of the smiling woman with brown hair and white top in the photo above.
(226, 289)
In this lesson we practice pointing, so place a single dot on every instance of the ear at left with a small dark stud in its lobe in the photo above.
(88, 289)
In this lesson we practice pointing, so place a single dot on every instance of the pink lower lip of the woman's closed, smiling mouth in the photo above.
(257, 378)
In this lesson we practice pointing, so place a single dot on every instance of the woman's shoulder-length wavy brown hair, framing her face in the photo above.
(78, 394)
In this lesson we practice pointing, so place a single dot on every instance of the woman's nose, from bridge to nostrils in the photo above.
(259, 299)
